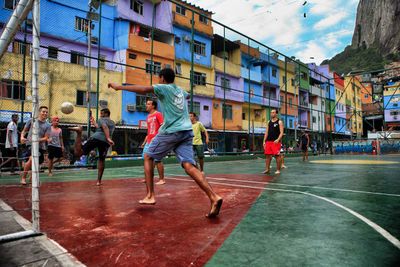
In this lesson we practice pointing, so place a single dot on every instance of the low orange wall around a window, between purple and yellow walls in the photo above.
(217, 120)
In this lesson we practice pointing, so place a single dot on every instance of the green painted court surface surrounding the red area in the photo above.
(331, 211)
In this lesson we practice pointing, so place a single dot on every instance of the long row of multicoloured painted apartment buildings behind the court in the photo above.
(234, 80)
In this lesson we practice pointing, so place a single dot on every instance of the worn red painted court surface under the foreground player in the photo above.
(105, 226)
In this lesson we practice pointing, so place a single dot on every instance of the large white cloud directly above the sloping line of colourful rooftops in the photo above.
(278, 21)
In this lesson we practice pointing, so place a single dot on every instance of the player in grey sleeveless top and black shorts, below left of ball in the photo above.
(55, 146)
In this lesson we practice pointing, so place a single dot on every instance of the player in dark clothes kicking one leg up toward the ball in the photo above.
(101, 140)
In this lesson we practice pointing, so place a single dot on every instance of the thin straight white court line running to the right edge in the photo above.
(303, 186)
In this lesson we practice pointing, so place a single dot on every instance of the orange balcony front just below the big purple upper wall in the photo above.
(143, 45)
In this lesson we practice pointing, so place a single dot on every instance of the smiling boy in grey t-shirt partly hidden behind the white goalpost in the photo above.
(44, 130)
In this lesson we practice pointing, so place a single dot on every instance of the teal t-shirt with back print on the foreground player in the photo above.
(174, 108)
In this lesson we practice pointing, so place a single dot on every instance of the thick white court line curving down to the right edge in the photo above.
(373, 225)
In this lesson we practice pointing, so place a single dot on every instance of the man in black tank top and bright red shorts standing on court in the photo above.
(272, 141)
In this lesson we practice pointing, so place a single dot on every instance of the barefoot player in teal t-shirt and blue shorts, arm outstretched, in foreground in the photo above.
(175, 134)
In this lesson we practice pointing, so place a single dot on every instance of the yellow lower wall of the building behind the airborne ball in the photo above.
(59, 82)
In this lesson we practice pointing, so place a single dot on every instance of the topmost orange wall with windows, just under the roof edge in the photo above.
(185, 20)
